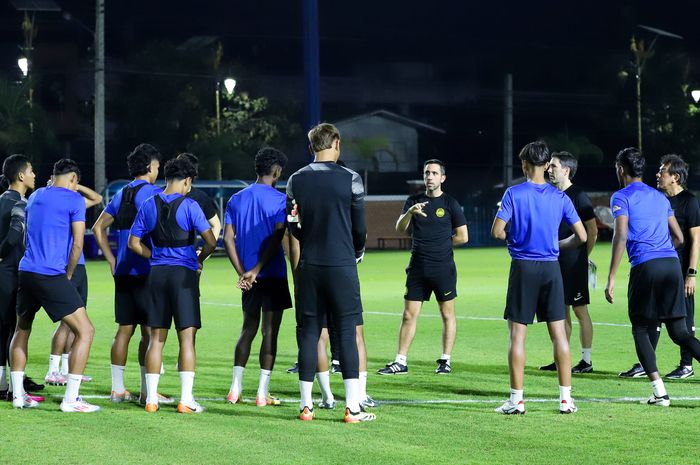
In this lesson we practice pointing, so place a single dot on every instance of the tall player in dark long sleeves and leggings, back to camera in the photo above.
(326, 206)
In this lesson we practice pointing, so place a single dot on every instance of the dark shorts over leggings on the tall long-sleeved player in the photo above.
(328, 289)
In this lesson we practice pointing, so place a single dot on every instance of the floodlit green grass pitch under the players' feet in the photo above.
(423, 418)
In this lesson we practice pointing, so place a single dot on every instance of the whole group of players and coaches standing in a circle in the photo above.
(549, 227)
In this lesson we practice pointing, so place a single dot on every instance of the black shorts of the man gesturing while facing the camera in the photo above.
(422, 281)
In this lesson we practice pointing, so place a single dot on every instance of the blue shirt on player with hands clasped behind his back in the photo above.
(254, 212)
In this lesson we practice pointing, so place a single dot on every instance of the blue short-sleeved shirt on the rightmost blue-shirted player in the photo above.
(647, 211)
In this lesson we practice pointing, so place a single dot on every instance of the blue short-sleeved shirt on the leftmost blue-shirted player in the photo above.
(50, 212)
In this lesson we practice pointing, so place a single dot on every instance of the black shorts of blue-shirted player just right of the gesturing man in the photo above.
(534, 288)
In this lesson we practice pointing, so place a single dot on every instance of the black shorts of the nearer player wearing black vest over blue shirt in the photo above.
(174, 295)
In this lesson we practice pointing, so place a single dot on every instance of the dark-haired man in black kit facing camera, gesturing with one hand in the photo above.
(436, 224)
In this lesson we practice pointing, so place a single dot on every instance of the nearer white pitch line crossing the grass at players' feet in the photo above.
(602, 400)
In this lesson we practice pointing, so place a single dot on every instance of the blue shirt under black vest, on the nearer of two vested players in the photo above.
(189, 216)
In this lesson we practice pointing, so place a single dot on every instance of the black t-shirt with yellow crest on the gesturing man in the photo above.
(432, 235)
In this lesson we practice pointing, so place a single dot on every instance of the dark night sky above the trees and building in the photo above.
(564, 55)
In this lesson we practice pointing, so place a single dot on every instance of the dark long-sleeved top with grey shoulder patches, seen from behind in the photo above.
(331, 207)
